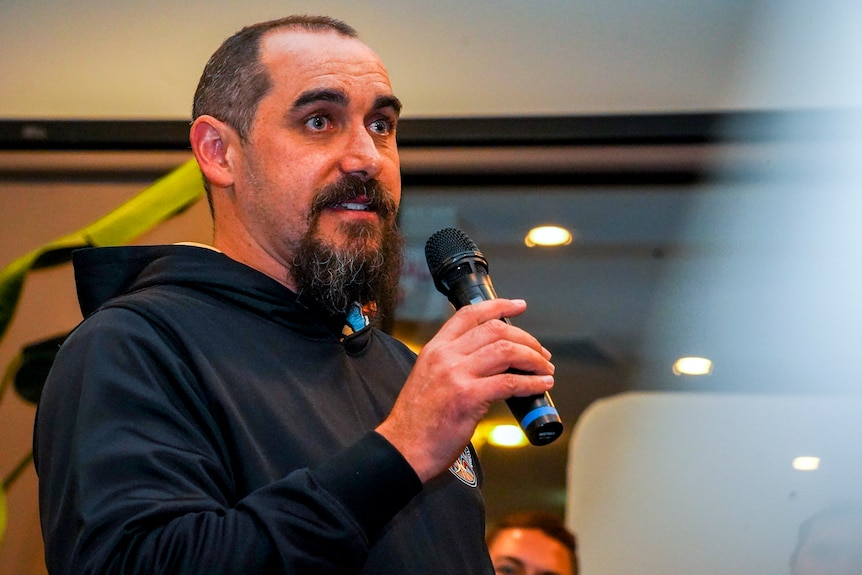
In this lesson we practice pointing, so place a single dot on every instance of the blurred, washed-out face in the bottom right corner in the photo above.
(833, 547)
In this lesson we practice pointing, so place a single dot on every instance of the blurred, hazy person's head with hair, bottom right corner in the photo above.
(830, 542)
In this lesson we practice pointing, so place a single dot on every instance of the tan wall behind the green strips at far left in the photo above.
(33, 213)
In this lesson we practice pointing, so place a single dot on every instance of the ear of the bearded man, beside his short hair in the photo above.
(213, 143)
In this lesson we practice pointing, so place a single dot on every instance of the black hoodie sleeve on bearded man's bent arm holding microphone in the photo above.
(133, 481)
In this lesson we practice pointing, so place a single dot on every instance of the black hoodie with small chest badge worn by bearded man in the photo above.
(202, 420)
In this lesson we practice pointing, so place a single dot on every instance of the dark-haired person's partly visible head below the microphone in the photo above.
(532, 543)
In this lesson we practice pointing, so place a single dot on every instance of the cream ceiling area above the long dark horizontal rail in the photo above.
(104, 59)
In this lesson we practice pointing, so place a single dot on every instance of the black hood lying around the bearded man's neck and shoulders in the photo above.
(102, 275)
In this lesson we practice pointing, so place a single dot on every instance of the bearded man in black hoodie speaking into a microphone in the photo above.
(211, 414)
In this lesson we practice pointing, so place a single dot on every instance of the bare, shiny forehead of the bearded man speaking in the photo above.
(300, 59)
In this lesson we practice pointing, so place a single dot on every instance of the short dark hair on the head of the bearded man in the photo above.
(234, 80)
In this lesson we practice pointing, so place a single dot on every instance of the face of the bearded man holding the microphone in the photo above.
(330, 114)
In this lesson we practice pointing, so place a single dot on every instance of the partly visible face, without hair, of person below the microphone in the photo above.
(519, 551)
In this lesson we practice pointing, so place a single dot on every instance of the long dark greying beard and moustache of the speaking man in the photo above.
(366, 269)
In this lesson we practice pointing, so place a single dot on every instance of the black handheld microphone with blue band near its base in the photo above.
(460, 272)
